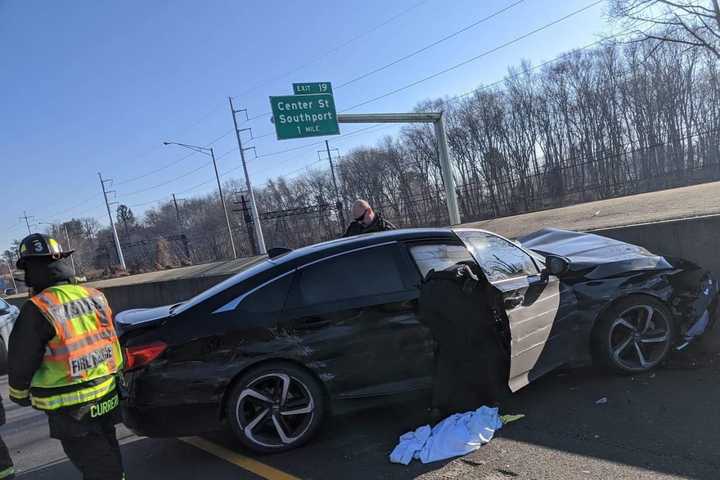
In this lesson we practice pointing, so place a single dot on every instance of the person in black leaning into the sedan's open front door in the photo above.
(456, 304)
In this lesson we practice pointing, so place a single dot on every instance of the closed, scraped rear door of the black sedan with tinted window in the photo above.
(354, 313)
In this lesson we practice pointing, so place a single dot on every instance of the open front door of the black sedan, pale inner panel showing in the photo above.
(531, 301)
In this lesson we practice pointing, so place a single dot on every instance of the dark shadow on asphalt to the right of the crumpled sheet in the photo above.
(666, 421)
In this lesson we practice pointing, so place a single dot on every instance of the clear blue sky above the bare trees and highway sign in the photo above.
(96, 85)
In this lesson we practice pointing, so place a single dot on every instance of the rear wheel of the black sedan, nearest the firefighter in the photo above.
(275, 407)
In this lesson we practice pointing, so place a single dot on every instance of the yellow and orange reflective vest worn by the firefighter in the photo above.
(81, 360)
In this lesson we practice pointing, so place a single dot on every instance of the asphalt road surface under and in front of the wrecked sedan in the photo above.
(663, 425)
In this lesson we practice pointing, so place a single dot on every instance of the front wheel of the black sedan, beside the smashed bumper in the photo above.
(634, 335)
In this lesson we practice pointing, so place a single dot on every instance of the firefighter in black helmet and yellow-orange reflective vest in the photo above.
(64, 358)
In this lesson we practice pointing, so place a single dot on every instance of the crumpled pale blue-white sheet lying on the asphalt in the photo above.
(457, 435)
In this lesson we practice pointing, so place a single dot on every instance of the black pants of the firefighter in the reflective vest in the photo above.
(96, 454)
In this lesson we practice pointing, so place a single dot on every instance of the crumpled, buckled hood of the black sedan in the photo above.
(599, 256)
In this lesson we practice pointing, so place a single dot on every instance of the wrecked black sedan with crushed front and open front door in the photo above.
(334, 326)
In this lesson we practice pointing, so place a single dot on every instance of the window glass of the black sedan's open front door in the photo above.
(499, 258)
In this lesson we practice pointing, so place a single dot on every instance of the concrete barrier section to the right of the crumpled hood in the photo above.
(695, 239)
